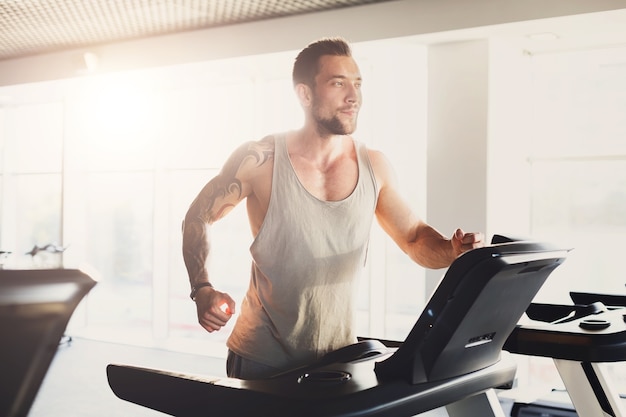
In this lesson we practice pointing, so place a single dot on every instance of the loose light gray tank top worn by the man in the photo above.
(307, 257)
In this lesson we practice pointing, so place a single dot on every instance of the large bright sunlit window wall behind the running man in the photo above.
(106, 165)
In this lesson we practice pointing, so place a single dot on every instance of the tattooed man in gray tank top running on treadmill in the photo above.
(311, 197)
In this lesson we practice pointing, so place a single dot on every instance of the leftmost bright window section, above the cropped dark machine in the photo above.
(32, 186)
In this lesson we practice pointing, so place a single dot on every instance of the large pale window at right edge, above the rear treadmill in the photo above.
(578, 166)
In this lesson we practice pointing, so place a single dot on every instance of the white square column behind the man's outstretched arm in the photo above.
(457, 139)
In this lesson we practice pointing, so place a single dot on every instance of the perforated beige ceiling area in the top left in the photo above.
(31, 27)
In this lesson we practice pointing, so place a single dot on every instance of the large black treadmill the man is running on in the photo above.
(452, 357)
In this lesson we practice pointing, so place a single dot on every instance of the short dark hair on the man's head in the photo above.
(306, 65)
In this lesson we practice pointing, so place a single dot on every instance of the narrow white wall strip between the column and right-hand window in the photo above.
(510, 119)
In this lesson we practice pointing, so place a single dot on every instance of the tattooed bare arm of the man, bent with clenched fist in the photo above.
(243, 176)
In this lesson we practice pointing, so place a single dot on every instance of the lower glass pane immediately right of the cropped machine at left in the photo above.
(118, 244)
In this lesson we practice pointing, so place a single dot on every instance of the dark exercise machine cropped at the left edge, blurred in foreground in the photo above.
(35, 307)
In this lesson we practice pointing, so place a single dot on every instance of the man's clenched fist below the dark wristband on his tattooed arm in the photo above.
(214, 308)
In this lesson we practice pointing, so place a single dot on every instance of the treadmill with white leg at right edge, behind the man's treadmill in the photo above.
(583, 339)
